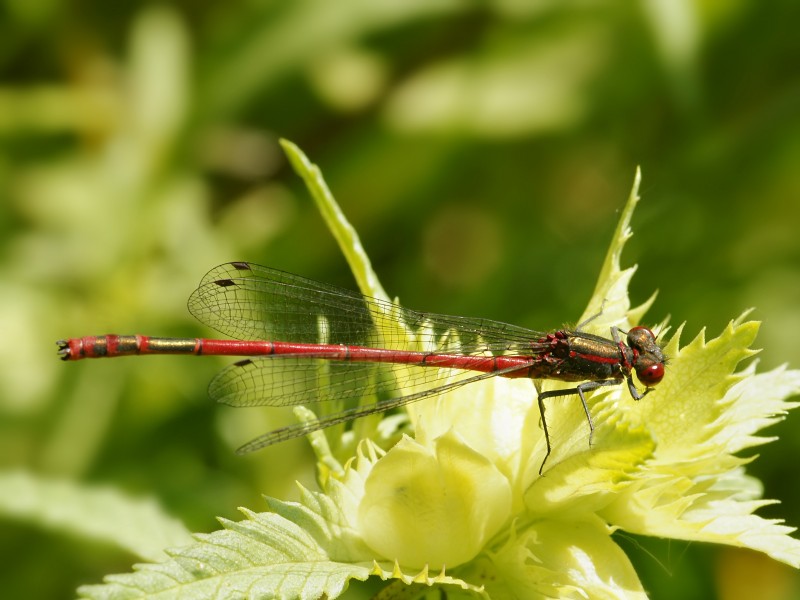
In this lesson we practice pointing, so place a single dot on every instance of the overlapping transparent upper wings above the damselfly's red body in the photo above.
(252, 302)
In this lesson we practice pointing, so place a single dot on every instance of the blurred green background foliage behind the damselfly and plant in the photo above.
(481, 149)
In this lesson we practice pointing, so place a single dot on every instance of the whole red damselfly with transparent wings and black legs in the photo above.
(310, 342)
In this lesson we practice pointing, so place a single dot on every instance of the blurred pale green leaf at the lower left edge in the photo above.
(139, 526)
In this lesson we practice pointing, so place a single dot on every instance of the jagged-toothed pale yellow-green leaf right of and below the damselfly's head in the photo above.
(695, 488)
